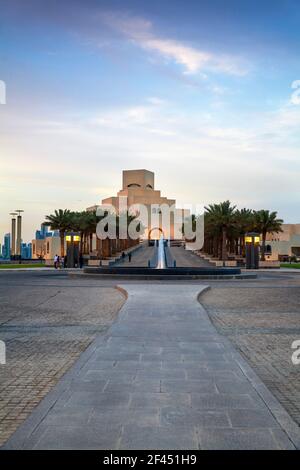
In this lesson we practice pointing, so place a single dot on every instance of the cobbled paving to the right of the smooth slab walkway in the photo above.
(262, 322)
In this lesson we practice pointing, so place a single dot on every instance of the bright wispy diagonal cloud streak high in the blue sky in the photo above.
(193, 60)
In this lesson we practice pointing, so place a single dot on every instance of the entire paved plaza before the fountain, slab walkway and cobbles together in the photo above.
(161, 372)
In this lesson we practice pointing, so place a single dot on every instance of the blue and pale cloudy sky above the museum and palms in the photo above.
(204, 93)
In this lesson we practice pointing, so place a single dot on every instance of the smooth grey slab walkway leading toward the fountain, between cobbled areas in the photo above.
(162, 377)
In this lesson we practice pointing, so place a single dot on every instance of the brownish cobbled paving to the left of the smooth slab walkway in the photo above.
(45, 329)
